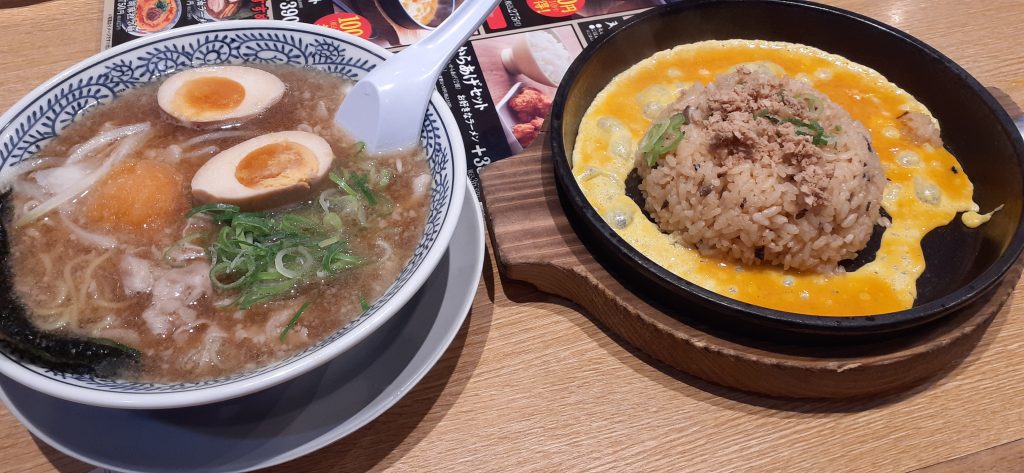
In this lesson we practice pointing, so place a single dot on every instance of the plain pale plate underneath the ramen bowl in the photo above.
(287, 421)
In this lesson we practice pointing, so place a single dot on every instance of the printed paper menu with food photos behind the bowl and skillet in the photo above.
(499, 85)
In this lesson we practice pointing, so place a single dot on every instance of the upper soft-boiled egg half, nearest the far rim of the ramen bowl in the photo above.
(220, 96)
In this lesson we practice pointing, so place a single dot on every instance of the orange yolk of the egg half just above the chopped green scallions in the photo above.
(277, 165)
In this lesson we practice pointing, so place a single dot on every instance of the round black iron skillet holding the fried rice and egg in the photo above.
(962, 265)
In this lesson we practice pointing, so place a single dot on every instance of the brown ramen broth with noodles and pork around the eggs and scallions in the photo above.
(95, 269)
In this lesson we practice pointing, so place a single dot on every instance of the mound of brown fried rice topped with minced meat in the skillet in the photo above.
(764, 170)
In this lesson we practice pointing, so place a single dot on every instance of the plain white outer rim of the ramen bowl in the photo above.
(155, 401)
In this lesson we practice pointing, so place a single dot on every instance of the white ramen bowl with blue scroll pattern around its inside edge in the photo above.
(52, 107)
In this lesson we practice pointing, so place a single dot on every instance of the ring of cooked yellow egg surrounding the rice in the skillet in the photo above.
(926, 188)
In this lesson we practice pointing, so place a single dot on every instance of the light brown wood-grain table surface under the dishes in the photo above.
(531, 383)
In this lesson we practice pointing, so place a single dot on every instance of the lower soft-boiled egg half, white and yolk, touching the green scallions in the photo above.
(265, 173)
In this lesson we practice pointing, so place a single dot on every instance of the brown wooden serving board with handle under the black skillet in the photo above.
(535, 242)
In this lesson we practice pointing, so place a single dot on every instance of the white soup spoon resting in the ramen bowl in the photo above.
(386, 109)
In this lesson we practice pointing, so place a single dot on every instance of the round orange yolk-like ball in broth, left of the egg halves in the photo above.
(140, 197)
